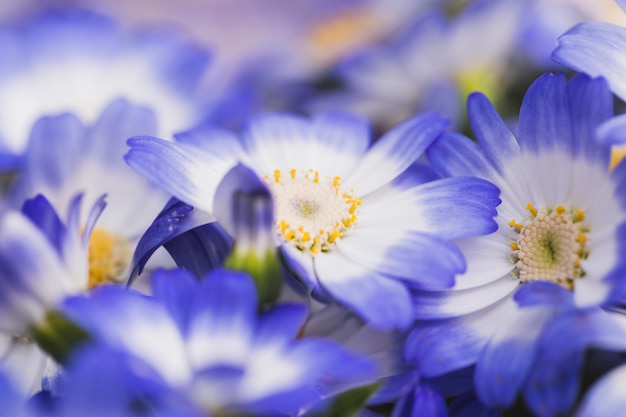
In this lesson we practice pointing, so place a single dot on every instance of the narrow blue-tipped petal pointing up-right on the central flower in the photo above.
(395, 152)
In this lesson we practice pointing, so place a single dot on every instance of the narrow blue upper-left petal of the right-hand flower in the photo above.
(492, 134)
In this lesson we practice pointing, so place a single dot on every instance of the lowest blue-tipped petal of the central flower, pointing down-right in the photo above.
(382, 302)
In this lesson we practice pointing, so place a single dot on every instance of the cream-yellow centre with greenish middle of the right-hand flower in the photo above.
(550, 245)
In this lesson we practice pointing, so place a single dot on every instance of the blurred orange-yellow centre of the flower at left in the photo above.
(109, 255)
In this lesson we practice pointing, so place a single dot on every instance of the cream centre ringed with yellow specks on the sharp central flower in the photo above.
(311, 212)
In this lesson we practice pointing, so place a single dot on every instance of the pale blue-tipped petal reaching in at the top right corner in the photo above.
(596, 49)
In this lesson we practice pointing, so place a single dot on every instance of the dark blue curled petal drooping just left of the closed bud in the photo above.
(175, 219)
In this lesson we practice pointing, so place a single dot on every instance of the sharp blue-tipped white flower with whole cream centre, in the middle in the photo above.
(353, 220)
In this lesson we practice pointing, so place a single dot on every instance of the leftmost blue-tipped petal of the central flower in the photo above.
(180, 172)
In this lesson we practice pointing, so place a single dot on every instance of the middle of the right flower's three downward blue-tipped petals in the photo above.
(505, 363)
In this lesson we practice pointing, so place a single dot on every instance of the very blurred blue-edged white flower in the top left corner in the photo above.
(78, 61)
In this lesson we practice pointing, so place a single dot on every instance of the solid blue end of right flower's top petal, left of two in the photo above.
(544, 121)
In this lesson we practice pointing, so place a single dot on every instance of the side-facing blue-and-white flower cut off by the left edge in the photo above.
(42, 261)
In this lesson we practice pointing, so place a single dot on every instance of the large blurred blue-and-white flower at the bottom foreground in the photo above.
(202, 344)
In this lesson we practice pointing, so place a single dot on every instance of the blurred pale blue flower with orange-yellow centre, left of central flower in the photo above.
(64, 157)
